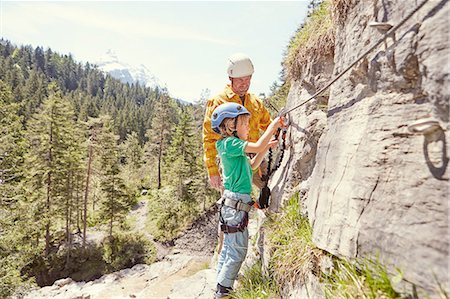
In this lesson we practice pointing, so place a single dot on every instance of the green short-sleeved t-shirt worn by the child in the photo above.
(236, 170)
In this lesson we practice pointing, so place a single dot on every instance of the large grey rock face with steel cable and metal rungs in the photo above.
(376, 187)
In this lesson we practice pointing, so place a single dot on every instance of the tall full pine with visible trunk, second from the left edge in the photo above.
(49, 162)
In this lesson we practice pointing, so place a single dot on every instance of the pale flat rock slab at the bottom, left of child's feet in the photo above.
(176, 276)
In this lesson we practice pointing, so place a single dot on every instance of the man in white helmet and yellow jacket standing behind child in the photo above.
(240, 71)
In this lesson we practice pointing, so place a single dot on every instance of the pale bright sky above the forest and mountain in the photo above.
(186, 44)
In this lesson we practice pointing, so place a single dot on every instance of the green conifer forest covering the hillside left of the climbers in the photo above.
(77, 149)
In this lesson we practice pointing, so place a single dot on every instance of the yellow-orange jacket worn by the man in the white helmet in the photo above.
(259, 120)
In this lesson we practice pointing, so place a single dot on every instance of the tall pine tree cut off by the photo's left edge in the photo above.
(14, 246)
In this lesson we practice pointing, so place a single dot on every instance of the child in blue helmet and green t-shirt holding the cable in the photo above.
(231, 121)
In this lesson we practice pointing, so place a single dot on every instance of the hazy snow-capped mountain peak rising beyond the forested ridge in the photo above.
(110, 63)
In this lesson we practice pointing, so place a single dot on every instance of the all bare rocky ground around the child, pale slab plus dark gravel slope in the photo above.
(186, 270)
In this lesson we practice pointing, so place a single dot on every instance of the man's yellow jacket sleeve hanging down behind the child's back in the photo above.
(209, 140)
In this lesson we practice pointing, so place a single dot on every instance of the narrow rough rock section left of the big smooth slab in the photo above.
(306, 126)
